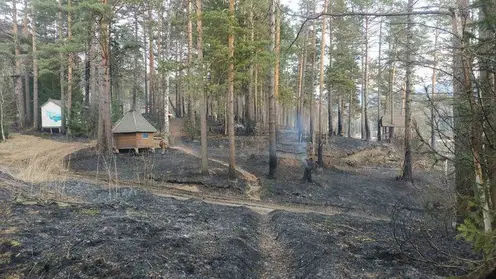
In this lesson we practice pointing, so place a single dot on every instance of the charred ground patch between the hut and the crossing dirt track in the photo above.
(147, 167)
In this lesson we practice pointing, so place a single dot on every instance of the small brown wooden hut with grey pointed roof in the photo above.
(133, 131)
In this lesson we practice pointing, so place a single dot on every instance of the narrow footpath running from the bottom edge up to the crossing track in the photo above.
(277, 261)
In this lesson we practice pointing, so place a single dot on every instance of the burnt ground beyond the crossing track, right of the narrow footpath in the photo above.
(362, 175)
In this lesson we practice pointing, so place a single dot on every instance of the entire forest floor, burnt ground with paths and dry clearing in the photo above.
(154, 215)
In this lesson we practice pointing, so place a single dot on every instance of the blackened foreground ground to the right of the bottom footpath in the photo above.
(343, 247)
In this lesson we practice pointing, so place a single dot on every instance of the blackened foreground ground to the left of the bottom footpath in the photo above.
(127, 233)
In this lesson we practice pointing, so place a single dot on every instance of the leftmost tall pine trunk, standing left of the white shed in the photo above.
(17, 71)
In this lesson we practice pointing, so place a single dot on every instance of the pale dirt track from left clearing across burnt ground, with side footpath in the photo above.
(47, 165)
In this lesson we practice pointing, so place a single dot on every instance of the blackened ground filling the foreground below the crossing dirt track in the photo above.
(98, 232)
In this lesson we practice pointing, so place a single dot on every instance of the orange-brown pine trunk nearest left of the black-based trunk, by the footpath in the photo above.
(230, 94)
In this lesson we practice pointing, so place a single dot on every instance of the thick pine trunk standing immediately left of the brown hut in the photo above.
(105, 125)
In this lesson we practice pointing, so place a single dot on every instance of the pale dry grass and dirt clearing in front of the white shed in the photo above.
(34, 159)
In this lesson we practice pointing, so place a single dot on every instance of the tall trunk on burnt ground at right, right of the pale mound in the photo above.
(407, 164)
